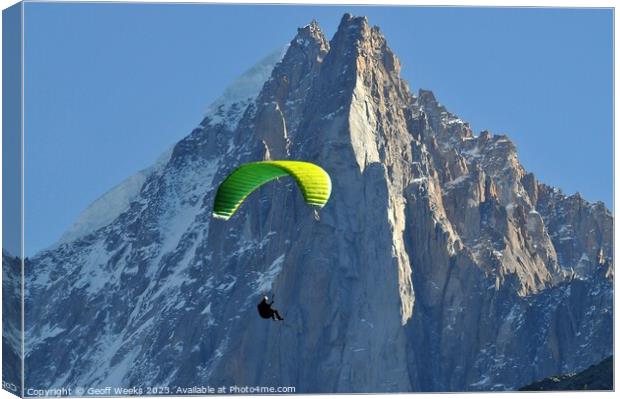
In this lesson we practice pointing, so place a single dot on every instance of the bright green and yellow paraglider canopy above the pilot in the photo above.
(313, 181)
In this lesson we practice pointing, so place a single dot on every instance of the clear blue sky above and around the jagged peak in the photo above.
(110, 86)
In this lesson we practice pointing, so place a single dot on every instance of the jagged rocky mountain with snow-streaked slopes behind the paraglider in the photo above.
(439, 263)
